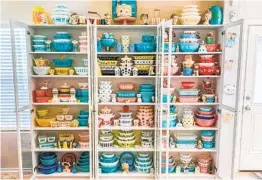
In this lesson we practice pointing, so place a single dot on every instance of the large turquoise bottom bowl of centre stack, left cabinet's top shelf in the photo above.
(62, 45)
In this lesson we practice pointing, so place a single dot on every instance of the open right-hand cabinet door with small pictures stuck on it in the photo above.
(232, 38)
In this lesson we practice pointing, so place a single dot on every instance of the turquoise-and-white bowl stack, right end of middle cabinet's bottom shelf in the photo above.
(143, 163)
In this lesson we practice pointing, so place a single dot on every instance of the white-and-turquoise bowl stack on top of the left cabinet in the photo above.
(61, 14)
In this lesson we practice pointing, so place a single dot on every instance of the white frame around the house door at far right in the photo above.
(242, 79)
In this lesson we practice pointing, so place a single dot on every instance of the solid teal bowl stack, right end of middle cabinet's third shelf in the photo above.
(147, 91)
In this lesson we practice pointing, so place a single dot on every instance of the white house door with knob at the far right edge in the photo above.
(251, 141)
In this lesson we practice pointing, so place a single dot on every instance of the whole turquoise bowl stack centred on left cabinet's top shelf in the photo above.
(62, 42)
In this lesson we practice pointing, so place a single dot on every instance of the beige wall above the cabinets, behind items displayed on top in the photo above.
(21, 10)
